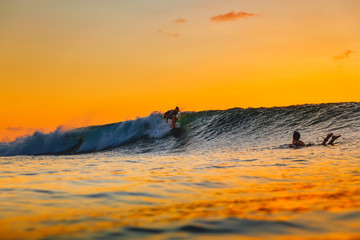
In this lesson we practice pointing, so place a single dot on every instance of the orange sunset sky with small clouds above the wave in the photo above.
(84, 62)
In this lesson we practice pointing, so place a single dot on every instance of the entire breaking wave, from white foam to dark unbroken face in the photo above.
(213, 130)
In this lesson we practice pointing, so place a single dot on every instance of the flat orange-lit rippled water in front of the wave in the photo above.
(271, 193)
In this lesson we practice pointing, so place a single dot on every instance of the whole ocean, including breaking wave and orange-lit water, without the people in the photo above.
(230, 174)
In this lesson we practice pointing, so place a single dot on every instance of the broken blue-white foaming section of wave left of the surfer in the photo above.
(87, 139)
